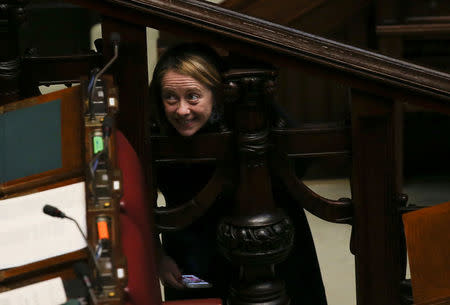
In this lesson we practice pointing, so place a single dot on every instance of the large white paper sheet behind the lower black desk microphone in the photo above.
(28, 235)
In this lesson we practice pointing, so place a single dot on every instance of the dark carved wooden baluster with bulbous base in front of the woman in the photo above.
(259, 235)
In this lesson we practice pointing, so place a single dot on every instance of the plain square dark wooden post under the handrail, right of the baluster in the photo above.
(375, 184)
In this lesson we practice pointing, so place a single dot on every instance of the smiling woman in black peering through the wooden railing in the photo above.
(187, 86)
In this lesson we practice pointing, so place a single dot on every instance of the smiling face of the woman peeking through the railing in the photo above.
(187, 102)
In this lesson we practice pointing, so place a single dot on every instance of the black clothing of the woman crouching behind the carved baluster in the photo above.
(194, 249)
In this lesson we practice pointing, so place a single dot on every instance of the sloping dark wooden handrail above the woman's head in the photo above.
(234, 27)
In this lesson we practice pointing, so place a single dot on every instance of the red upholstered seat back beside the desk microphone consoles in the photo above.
(136, 233)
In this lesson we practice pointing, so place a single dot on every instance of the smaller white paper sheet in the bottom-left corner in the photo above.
(50, 292)
